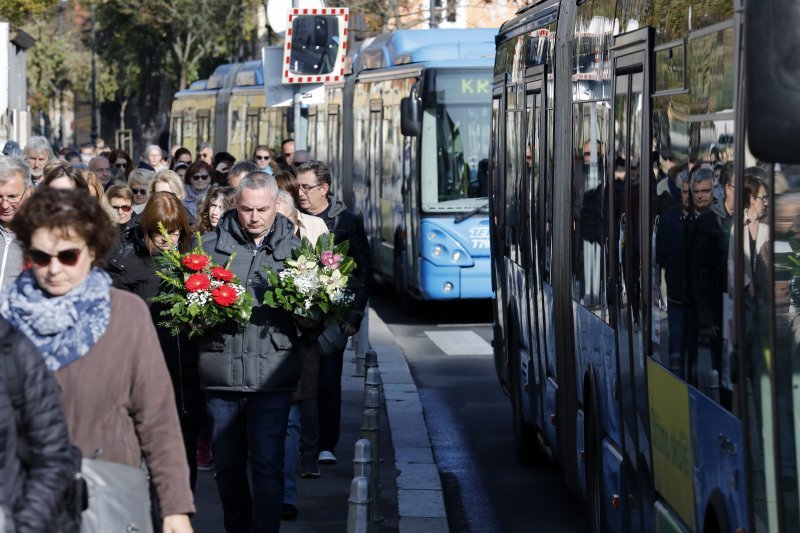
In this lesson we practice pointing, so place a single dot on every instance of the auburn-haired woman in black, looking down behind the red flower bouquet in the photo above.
(132, 268)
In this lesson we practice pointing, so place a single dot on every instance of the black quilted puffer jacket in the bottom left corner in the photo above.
(30, 499)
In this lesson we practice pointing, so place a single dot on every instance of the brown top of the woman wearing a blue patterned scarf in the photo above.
(118, 398)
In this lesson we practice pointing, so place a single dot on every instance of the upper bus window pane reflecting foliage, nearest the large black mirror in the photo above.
(710, 60)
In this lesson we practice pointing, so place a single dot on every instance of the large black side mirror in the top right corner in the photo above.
(772, 79)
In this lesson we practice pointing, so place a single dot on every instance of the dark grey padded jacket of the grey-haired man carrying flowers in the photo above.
(262, 356)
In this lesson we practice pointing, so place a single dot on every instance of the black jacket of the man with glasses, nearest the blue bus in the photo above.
(347, 226)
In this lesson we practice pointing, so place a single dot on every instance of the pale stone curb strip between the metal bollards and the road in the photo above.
(420, 500)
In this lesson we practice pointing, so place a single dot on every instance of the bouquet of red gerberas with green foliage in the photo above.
(199, 294)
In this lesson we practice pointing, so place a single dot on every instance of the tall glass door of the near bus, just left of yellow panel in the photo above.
(629, 215)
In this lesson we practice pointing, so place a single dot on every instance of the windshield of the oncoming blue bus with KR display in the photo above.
(455, 139)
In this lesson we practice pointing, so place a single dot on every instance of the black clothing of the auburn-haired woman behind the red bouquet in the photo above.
(132, 269)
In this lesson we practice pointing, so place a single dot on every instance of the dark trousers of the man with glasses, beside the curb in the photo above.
(329, 401)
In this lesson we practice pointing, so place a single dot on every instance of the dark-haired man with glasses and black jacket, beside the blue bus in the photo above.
(314, 181)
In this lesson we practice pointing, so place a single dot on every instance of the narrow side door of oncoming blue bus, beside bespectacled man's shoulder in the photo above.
(373, 167)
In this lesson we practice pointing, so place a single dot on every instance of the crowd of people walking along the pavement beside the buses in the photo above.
(81, 232)
